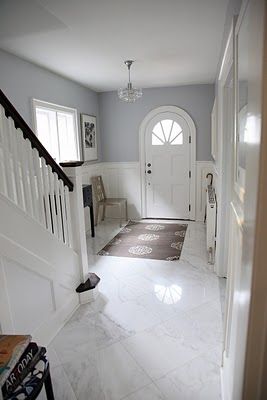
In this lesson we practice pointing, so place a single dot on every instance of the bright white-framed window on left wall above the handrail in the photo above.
(57, 129)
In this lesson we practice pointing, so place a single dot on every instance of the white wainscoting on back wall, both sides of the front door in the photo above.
(122, 179)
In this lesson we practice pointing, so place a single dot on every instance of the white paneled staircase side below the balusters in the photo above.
(38, 276)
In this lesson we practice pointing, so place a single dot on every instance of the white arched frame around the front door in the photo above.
(142, 132)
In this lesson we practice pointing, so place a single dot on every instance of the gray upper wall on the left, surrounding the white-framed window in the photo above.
(21, 81)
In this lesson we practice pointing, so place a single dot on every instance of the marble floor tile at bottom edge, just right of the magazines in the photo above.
(109, 374)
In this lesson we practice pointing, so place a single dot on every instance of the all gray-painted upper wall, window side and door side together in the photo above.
(118, 123)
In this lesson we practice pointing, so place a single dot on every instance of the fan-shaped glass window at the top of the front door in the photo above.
(167, 131)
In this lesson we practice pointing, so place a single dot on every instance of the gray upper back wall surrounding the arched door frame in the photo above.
(120, 121)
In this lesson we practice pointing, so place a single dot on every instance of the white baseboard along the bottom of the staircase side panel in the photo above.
(45, 333)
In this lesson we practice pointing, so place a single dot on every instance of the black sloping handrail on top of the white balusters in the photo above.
(19, 122)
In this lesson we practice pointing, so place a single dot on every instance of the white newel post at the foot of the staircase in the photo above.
(77, 219)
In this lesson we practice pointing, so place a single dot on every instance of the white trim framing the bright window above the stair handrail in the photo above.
(56, 107)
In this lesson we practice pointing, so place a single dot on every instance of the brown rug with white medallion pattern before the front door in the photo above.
(159, 241)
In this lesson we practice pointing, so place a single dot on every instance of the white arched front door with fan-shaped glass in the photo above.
(167, 170)
